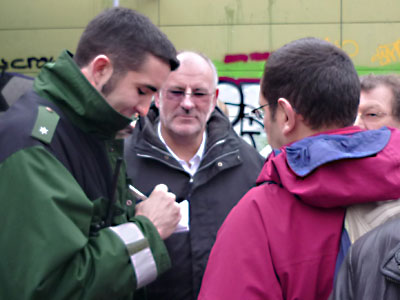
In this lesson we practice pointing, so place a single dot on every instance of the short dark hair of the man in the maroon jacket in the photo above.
(317, 78)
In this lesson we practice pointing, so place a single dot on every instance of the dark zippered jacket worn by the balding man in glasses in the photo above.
(229, 168)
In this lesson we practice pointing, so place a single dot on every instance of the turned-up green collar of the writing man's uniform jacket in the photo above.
(63, 83)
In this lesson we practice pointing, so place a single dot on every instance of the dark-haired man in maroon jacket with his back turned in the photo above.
(285, 238)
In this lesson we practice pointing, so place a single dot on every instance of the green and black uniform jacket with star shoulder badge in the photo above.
(57, 160)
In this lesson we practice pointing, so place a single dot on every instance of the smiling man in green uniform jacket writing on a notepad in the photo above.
(69, 226)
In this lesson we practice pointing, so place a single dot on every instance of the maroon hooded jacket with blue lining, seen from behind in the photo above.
(282, 240)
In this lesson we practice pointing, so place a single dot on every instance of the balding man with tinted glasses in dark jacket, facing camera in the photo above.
(189, 144)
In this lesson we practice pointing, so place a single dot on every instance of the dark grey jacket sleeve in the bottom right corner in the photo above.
(371, 270)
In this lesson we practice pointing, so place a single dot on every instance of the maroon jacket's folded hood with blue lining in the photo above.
(334, 175)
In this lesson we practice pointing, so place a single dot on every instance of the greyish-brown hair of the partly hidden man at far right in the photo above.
(391, 81)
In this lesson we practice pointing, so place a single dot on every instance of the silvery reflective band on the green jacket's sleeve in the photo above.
(139, 250)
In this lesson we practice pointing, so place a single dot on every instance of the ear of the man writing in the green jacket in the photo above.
(98, 71)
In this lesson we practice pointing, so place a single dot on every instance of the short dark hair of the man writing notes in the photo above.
(125, 36)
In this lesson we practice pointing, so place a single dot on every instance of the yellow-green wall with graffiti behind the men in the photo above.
(237, 35)
